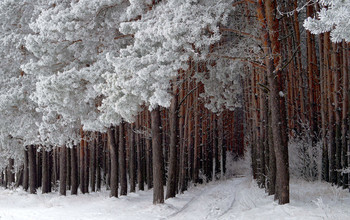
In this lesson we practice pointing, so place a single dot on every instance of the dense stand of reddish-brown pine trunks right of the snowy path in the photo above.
(308, 100)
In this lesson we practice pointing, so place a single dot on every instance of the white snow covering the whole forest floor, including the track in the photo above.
(234, 198)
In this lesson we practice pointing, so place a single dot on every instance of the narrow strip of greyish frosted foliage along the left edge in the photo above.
(18, 117)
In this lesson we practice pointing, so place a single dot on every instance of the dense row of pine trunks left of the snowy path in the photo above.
(135, 153)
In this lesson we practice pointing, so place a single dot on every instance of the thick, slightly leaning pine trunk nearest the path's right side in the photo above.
(276, 100)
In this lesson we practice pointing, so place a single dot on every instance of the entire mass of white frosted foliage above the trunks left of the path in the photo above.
(68, 65)
